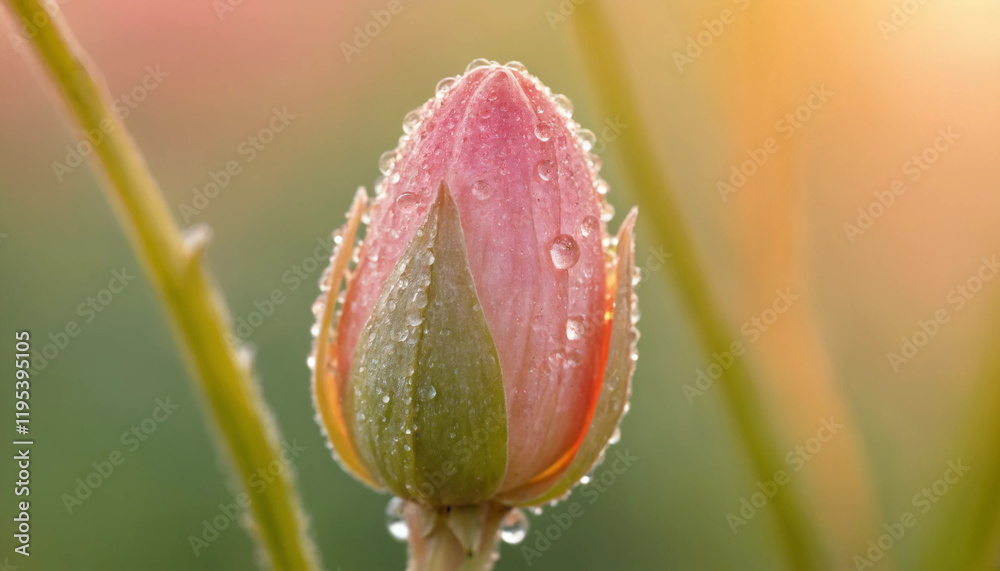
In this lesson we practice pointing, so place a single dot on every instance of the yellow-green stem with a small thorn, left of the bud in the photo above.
(200, 320)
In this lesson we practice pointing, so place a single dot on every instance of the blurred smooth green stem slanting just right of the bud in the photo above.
(602, 58)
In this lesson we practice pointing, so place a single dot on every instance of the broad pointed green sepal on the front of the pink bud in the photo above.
(426, 388)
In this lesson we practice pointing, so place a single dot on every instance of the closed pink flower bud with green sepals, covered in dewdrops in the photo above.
(483, 346)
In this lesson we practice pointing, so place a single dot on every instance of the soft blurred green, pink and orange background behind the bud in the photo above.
(845, 98)
